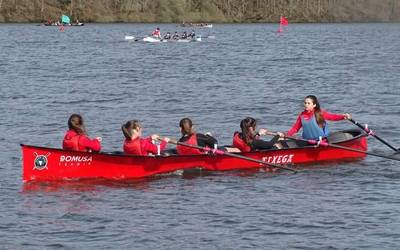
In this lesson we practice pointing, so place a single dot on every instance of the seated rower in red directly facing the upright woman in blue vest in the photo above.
(249, 139)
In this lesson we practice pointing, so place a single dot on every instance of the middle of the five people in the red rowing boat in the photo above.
(189, 136)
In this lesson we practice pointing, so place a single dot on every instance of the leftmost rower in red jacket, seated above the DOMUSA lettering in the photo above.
(76, 138)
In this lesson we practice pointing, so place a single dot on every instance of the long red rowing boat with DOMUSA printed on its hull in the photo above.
(47, 164)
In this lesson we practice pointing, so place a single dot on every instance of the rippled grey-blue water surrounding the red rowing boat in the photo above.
(45, 75)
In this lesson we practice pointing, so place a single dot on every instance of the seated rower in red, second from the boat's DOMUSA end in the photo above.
(136, 145)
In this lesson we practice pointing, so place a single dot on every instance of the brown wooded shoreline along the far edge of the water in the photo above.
(195, 11)
